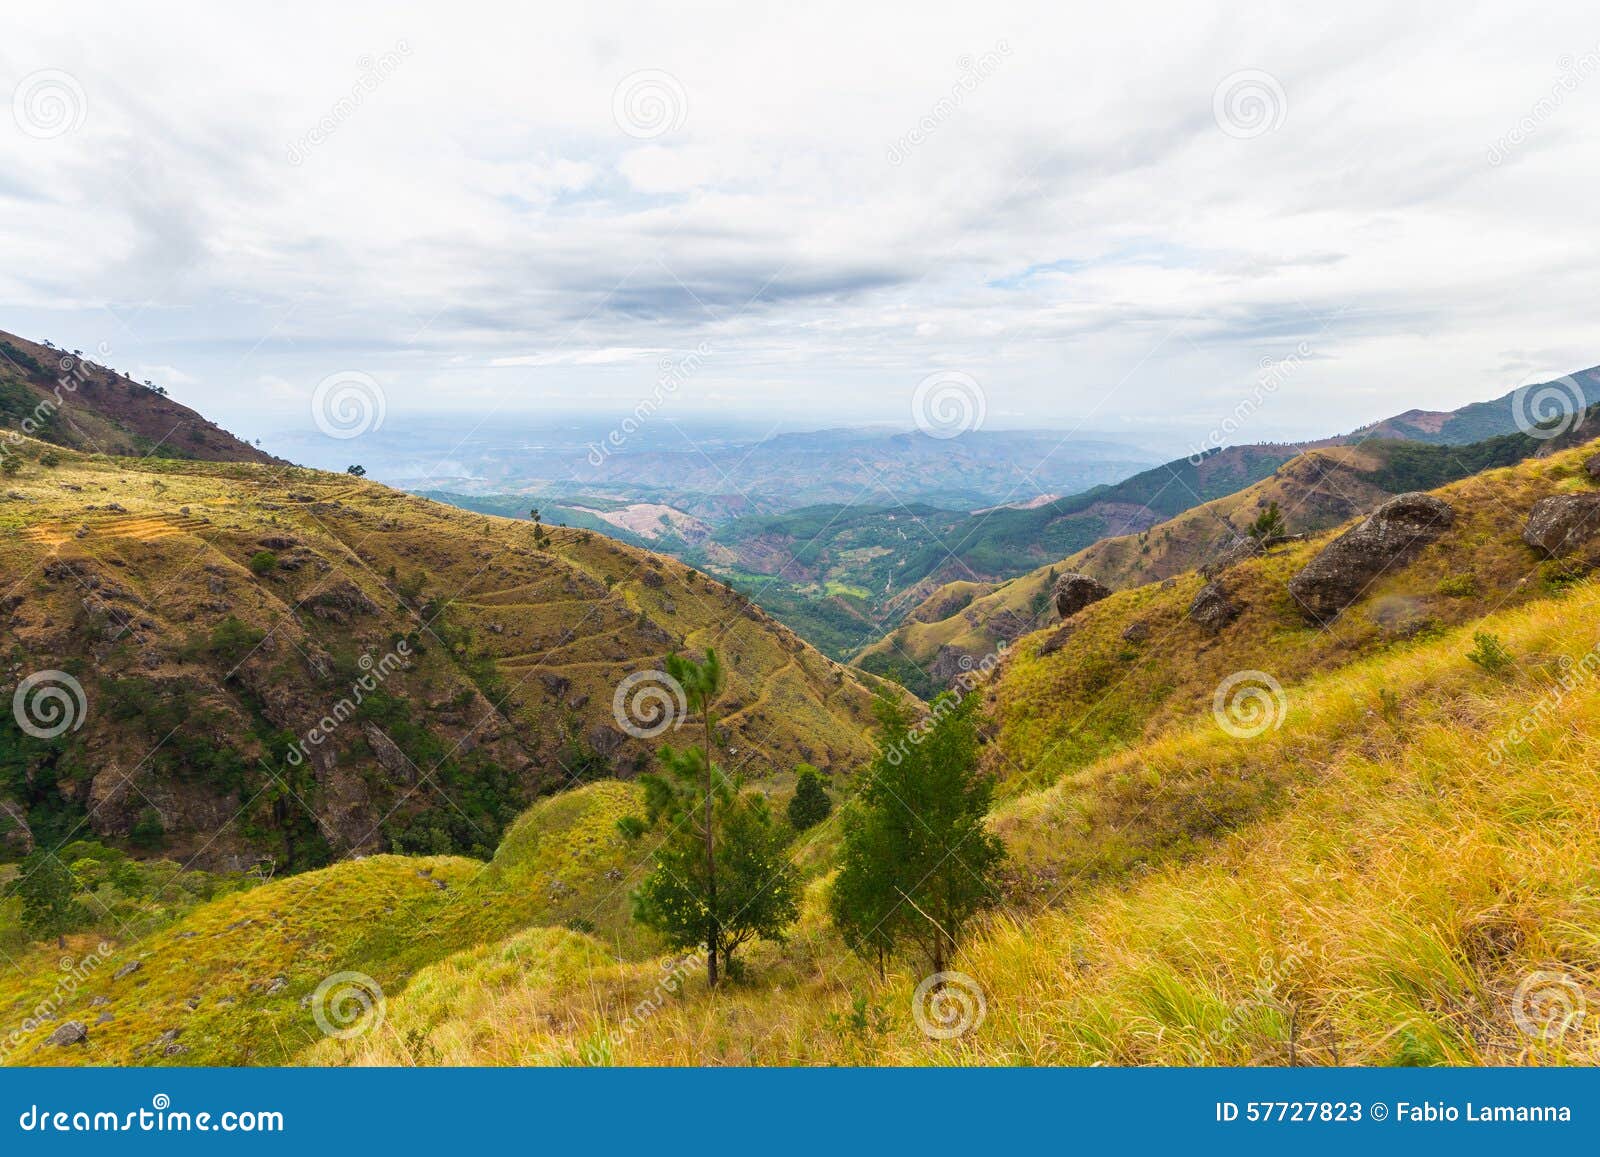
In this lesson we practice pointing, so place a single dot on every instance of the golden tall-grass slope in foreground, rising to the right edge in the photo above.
(1374, 894)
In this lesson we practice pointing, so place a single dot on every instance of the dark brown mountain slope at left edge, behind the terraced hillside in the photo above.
(68, 399)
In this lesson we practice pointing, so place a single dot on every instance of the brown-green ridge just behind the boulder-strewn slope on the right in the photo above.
(1314, 490)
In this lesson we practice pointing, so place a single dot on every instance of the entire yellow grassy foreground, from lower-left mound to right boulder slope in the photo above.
(1383, 855)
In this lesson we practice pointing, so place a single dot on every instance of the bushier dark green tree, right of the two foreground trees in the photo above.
(918, 860)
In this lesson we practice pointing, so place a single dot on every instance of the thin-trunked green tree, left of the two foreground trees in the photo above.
(750, 891)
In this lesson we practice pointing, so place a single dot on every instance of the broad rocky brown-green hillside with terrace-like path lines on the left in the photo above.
(289, 665)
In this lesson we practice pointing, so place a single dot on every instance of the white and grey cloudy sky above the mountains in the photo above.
(1100, 215)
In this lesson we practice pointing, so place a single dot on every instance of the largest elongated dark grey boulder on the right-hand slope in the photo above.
(1391, 537)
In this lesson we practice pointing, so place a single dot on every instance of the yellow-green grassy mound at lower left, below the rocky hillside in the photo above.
(236, 975)
